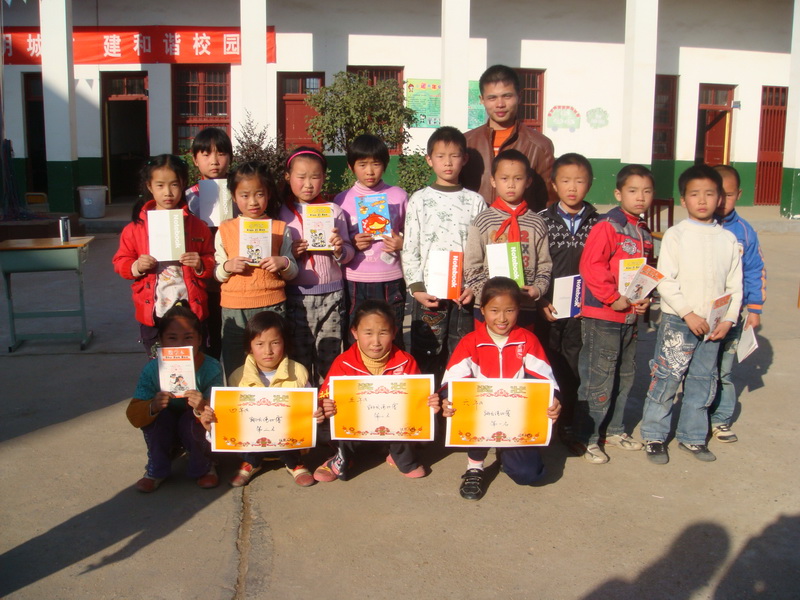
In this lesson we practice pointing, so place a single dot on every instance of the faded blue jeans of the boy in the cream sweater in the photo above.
(680, 353)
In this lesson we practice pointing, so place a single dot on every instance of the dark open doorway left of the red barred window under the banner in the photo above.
(126, 144)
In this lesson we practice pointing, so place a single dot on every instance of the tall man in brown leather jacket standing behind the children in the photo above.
(500, 94)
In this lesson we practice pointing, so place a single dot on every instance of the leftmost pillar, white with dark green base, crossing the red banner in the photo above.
(58, 84)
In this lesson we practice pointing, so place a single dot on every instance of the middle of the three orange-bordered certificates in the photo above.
(382, 408)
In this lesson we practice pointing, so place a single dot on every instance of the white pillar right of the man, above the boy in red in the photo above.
(638, 94)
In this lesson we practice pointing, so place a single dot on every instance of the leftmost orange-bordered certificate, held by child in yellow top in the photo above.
(263, 419)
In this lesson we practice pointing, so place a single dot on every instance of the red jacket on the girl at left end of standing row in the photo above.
(133, 243)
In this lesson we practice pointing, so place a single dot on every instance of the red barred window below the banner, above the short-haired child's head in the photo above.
(200, 98)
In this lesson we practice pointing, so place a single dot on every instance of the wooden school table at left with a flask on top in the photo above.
(41, 255)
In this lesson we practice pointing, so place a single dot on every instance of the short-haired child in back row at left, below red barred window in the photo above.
(211, 152)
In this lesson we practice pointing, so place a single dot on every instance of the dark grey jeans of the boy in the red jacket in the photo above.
(607, 366)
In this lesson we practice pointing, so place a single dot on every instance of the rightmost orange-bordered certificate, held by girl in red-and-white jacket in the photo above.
(499, 412)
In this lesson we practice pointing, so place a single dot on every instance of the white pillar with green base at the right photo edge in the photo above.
(790, 198)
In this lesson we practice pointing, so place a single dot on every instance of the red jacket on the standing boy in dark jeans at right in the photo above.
(616, 236)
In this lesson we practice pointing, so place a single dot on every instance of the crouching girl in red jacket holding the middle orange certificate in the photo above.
(373, 353)
